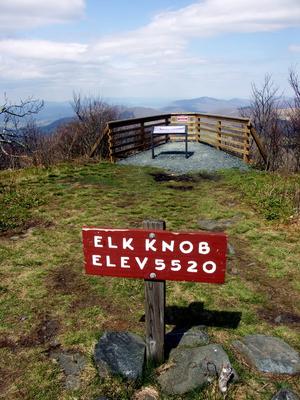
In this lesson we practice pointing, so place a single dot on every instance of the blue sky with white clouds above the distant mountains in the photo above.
(157, 49)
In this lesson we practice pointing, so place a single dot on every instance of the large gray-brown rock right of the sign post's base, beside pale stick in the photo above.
(190, 368)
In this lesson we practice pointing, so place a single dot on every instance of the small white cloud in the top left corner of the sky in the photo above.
(20, 14)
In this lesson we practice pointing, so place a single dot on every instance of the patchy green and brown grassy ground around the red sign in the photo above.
(47, 300)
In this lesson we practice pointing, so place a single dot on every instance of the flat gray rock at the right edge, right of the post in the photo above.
(269, 354)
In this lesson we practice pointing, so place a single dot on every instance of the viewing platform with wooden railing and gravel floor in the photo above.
(211, 139)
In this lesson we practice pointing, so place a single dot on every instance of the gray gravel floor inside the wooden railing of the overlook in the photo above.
(202, 157)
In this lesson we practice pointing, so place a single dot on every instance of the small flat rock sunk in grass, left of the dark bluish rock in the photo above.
(72, 364)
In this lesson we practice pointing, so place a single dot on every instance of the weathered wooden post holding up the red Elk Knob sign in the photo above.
(155, 300)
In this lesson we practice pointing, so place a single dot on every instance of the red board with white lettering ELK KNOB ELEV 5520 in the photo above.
(156, 255)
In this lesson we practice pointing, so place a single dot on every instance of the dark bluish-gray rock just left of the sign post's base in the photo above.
(120, 353)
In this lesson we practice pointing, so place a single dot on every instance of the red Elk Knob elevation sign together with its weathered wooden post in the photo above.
(155, 255)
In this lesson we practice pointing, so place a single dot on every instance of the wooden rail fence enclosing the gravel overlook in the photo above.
(230, 134)
